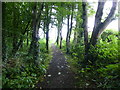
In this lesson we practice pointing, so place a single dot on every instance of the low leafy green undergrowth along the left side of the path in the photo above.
(18, 73)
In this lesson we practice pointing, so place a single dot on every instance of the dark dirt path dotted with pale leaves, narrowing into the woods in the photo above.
(58, 74)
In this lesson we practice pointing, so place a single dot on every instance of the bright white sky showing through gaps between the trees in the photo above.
(113, 25)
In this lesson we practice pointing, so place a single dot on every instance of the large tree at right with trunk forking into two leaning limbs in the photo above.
(100, 26)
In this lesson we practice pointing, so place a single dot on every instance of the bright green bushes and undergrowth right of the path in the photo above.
(104, 72)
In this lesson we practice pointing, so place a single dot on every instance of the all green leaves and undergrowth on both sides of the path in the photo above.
(19, 69)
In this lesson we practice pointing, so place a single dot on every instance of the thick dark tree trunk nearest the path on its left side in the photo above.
(34, 47)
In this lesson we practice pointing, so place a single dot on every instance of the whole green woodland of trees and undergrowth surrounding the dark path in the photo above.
(92, 57)
